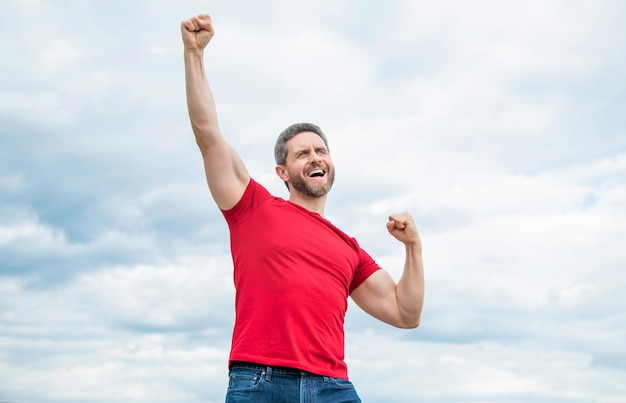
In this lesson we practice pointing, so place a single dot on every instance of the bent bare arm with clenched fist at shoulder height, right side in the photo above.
(399, 305)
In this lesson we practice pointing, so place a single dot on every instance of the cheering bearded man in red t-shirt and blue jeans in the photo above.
(293, 269)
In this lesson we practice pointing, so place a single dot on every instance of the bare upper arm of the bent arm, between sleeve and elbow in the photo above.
(377, 297)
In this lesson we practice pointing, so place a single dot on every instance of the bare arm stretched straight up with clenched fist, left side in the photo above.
(226, 173)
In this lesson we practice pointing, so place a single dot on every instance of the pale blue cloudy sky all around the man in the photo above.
(499, 125)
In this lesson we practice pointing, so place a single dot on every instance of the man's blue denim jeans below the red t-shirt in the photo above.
(263, 384)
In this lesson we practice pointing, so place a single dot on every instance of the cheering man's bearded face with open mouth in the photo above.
(308, 166)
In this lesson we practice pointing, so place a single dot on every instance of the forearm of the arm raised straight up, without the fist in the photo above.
(200, 102)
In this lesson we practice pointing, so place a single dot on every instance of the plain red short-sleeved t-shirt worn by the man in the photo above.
(293, 272)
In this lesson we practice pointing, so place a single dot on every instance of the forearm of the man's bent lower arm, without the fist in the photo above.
(410, 288)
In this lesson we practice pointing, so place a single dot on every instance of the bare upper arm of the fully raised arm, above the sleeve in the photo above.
(226, 174)
